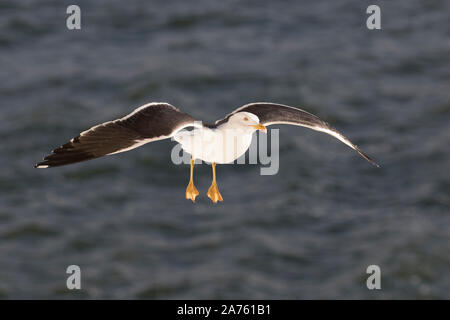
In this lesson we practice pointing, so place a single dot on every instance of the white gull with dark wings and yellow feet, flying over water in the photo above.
(222, 142)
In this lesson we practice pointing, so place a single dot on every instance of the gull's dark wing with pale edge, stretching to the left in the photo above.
(151, 122)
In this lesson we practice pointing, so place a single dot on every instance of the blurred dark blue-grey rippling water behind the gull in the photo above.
(308, 232)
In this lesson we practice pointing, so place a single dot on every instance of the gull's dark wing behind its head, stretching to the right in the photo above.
(272, 113)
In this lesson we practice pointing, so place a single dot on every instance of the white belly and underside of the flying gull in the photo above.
(214, 145)
